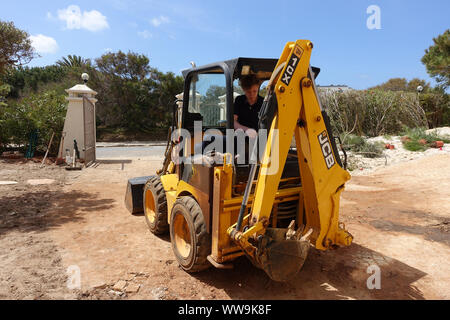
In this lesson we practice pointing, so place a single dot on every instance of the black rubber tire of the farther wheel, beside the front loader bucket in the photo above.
(160, 225)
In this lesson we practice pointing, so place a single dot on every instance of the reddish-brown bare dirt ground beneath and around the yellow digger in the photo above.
(399, 216)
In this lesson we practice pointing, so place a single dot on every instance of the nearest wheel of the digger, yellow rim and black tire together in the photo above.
(191, 243)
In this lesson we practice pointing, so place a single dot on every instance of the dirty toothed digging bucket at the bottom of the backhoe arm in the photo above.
(281, 259)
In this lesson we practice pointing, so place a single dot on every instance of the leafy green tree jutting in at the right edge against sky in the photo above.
(437, 59)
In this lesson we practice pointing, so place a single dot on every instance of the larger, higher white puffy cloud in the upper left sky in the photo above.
(88, 20)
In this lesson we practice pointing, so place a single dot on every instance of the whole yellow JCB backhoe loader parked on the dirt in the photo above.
(270, 210)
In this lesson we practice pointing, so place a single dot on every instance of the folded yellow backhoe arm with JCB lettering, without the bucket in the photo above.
(299, 114)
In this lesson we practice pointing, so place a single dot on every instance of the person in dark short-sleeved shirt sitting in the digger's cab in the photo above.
(247, 107)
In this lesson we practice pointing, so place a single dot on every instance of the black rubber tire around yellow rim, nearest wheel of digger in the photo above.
(200, 240)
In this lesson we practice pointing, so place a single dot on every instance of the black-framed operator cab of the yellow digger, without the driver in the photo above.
(209, 95)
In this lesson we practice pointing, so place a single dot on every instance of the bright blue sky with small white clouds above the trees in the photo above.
(173, 33)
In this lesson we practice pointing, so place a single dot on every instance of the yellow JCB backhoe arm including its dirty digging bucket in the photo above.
(281, 252)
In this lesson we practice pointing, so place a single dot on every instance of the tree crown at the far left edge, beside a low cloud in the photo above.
(15, 47)
